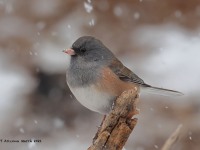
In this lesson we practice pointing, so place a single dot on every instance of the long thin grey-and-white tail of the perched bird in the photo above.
(161, 91)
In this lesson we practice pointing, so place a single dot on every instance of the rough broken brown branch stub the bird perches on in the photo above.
(118, 125)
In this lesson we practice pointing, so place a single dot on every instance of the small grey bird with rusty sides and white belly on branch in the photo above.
(96, 77)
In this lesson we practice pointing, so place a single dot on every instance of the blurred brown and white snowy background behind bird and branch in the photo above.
(158, 40)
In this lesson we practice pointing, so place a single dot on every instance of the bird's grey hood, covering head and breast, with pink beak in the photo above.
(88, 55)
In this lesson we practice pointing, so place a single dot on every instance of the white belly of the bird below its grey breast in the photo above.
(93, 99)
